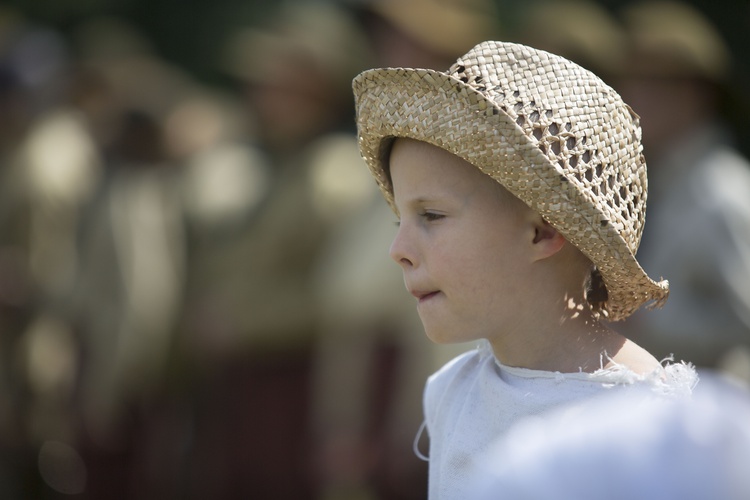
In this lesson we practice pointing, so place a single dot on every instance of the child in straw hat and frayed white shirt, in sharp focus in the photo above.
(520, 188)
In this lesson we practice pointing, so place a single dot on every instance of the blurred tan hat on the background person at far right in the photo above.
(673, 39)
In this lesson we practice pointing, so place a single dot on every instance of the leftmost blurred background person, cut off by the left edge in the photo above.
(49, 167)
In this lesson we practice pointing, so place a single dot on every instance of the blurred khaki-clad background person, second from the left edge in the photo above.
(128, 293)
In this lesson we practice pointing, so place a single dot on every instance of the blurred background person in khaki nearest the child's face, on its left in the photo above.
(252, 321)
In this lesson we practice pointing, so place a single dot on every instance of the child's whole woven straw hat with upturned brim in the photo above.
(550, 132)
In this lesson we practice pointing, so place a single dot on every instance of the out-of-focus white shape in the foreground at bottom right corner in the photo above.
(628, 445)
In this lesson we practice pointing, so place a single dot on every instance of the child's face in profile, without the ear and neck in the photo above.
(462, 244)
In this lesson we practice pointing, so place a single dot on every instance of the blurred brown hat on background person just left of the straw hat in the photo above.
(320, 35)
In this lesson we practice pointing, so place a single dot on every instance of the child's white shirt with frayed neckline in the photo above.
(474, 399)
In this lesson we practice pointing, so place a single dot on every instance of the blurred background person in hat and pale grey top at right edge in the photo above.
(678, 66)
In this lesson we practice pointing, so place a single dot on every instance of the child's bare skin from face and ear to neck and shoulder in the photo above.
(483, 265)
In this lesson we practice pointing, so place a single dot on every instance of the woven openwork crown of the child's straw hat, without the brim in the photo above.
(590, 136)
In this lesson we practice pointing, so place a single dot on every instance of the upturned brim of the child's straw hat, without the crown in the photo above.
(440, 109)
